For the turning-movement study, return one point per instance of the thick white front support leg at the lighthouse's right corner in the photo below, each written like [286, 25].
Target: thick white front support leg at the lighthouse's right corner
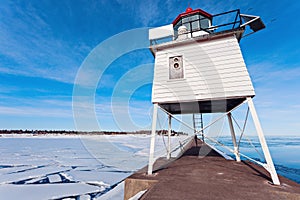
[263, 143]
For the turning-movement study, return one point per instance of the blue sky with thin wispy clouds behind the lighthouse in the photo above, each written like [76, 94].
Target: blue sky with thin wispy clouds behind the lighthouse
[43, 44]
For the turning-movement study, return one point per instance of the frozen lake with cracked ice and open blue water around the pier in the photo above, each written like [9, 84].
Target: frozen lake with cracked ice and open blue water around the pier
[70, 167]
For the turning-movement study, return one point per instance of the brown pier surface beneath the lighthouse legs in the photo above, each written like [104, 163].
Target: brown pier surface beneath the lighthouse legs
[202, 173]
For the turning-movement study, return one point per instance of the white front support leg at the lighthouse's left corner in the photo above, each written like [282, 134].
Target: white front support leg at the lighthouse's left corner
[152, 144]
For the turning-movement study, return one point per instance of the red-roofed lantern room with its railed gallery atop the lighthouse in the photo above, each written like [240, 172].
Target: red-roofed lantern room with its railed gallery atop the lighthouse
[195, 23]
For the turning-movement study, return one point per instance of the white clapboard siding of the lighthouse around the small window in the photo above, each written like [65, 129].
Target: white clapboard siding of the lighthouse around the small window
[213, 69]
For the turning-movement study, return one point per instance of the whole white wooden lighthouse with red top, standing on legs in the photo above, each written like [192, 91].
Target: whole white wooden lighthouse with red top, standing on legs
[199, 68]
